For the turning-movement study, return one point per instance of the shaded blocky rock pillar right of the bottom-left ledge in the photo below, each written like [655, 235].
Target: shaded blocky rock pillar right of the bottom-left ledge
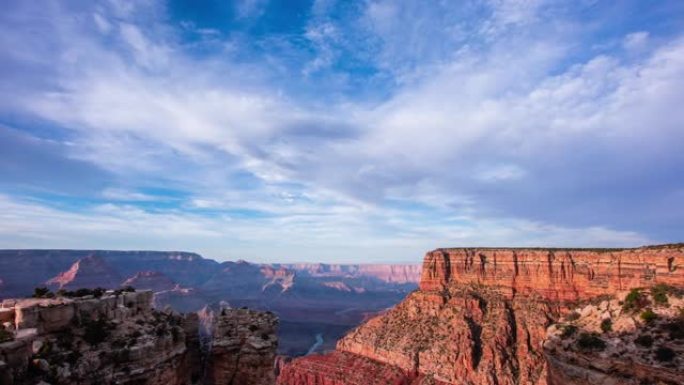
[242, 349]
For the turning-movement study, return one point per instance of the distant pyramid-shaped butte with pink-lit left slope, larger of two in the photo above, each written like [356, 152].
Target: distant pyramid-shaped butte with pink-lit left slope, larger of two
[89, 272]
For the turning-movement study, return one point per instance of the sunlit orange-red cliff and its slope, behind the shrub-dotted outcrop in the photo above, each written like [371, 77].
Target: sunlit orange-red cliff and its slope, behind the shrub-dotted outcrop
[481, 315]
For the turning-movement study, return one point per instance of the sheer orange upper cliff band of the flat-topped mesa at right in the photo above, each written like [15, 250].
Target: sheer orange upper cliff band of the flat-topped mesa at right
[555, 274]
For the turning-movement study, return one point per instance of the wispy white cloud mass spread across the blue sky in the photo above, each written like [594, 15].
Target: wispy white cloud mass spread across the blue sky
[482, 134]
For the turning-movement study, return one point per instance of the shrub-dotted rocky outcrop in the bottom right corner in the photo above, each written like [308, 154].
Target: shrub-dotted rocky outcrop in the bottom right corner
[611, 343]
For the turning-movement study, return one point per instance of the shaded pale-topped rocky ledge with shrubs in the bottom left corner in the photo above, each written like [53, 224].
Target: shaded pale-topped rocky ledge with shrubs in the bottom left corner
[118, 338]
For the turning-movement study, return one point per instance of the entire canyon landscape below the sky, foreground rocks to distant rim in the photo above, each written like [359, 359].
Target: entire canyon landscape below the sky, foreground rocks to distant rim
[485, 316]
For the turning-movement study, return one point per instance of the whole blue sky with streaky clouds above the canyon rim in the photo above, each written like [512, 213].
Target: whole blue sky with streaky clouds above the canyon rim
[340, 131]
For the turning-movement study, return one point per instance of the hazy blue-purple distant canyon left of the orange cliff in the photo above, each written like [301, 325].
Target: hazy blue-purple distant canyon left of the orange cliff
[313, 301]
